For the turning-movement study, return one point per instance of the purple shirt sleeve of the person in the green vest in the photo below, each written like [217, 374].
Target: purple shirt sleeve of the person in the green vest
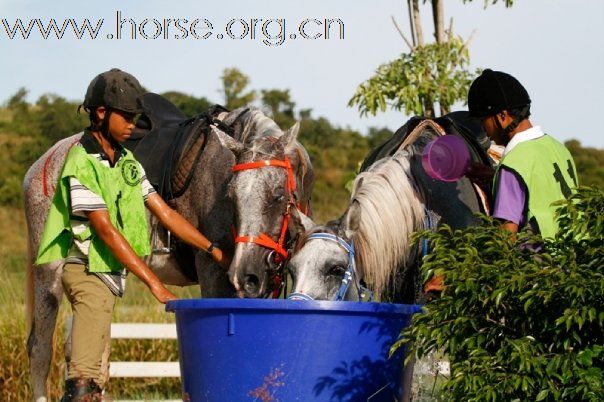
[509, 198]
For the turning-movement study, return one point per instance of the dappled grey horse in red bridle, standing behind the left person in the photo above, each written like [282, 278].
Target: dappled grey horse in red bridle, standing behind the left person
[207, 204]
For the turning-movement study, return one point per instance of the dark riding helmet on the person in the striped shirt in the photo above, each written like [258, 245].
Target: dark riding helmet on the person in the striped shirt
[115, 89]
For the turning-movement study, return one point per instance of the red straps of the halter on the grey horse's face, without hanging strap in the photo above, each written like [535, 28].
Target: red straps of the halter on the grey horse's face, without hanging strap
[263, 239]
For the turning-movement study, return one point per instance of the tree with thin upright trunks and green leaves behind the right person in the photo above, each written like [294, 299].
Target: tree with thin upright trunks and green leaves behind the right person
[429, 75]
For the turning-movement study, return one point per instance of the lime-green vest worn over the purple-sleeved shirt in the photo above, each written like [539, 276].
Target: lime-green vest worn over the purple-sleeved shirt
[548, 171]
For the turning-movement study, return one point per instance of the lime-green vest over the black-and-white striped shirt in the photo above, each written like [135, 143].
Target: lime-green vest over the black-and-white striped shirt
[120, 188]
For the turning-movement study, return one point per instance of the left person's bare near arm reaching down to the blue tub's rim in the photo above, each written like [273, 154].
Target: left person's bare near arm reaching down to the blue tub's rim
[122, 251]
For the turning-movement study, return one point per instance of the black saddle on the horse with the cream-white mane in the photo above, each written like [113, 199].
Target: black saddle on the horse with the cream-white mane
[457, 123]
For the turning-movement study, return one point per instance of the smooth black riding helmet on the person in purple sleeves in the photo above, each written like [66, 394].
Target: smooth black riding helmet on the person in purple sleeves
[494, 91]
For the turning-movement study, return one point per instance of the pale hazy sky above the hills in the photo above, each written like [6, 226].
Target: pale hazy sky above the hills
[554, 47]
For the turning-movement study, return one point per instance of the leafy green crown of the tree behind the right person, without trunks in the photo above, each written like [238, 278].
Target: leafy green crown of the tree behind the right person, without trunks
[434, 73]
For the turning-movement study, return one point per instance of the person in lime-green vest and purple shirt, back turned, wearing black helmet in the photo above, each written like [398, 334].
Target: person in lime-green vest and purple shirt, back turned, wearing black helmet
[535, 171]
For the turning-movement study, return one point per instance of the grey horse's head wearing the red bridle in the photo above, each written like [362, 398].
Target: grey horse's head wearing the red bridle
[272, 178]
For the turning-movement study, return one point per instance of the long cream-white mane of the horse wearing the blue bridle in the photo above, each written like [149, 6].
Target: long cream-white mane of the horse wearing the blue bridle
[391, 211]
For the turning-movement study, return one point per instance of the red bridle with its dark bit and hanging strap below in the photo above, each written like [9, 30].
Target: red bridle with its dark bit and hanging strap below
[278, 253]
